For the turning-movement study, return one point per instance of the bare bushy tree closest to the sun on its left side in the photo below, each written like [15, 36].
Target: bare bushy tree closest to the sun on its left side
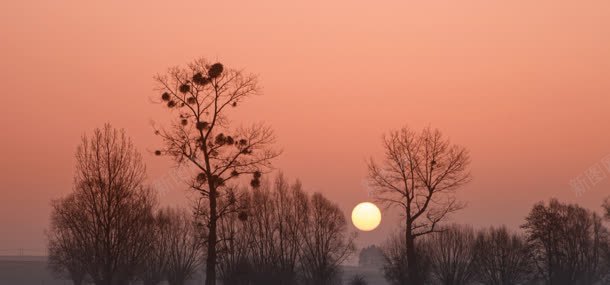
[325, 245]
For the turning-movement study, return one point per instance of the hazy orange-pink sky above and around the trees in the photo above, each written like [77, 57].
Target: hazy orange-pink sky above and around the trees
[525, 86]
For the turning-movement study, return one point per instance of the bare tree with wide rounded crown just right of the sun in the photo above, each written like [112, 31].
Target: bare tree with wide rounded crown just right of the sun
[419, 174]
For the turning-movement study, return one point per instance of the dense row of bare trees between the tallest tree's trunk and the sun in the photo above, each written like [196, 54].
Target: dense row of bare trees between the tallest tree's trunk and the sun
[278, 234]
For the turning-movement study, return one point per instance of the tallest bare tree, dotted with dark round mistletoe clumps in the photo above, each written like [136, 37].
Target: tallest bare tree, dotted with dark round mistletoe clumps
[202, 95]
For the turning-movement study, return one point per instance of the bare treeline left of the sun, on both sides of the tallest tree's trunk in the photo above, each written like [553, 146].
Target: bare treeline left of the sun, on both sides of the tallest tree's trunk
[110, 229]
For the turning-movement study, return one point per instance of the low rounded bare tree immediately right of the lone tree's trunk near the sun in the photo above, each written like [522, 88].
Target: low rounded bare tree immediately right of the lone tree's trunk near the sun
[452, 255]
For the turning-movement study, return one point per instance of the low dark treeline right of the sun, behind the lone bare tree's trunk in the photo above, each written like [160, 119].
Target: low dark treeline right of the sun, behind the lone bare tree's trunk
[561, 244]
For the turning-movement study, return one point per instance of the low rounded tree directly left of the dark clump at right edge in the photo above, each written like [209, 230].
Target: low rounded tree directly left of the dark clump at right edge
[503, 258]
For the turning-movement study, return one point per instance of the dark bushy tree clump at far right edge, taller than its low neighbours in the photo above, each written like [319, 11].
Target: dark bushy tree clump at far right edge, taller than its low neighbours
[567, 242]
